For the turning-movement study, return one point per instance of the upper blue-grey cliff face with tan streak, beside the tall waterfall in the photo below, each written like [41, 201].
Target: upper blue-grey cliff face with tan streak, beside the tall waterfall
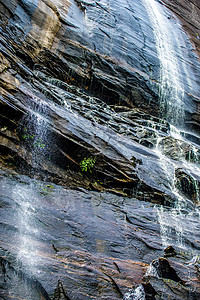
[107, 46]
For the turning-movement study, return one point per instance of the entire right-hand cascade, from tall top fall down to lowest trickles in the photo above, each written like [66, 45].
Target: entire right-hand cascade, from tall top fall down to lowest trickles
[174, 84]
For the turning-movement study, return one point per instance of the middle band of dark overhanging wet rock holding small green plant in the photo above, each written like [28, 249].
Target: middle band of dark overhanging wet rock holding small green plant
[118, 147]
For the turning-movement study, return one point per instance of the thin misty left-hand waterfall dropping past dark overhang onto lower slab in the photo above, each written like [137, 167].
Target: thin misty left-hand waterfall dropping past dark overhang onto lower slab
[35, 138]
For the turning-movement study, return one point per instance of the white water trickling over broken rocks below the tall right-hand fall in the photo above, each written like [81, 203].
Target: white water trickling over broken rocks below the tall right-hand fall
[174, 221]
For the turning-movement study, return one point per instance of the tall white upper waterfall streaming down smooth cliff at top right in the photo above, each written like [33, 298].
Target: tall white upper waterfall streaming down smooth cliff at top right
[169, 42]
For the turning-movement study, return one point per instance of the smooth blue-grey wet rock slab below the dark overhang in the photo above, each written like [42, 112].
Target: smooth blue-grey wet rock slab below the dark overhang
[87, 260]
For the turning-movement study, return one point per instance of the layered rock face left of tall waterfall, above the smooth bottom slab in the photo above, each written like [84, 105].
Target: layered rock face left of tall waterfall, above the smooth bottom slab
[40, 75]
